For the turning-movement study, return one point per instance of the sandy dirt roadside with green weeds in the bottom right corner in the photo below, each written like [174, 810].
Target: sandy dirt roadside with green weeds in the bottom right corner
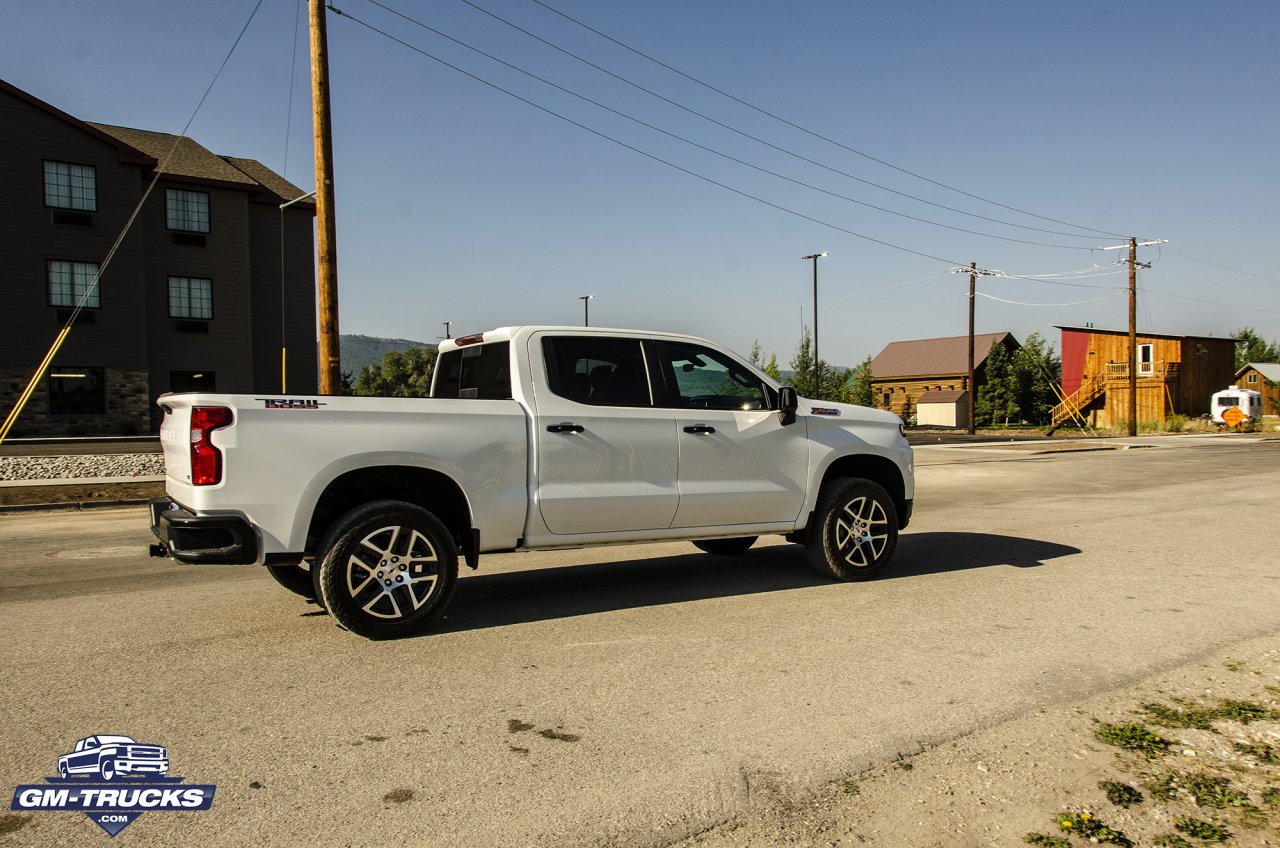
[1036, 779]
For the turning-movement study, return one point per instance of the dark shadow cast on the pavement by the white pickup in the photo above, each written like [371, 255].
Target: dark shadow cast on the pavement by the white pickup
[563, 592]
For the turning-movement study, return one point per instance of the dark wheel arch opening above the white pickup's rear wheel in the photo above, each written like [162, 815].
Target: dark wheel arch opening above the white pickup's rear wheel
[433, 491]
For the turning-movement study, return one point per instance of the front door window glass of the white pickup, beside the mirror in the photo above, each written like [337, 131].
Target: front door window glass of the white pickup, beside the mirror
[702, 379]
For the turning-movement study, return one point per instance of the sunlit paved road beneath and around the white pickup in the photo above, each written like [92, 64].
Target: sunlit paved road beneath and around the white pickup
[628, 696]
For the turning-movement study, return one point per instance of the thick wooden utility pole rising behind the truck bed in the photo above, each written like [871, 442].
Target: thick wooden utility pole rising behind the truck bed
[327, 236]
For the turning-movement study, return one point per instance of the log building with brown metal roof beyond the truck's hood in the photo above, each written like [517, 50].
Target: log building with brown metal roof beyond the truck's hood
[904, 372]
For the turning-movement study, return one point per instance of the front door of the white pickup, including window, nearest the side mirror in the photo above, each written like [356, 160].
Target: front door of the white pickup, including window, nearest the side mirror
[738, 463]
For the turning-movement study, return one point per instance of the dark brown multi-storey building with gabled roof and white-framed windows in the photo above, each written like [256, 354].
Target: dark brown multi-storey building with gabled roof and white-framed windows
[193, 297]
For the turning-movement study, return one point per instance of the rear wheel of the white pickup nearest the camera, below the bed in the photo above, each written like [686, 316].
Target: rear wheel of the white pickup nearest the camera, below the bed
[390, 569]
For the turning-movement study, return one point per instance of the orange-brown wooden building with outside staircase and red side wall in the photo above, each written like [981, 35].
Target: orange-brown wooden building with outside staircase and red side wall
[1177, 376]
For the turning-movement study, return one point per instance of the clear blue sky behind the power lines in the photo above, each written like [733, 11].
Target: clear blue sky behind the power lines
[460, 203]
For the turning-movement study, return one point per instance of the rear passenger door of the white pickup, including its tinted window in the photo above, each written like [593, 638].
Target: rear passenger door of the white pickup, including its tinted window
[607, 458]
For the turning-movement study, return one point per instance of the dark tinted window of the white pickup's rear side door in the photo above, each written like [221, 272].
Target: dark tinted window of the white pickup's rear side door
[601, 372]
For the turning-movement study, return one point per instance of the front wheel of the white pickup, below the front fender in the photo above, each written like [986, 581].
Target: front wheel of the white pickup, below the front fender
[854, 531]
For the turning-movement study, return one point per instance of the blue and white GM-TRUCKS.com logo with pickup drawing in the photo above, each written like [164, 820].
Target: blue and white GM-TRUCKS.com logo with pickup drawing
[113, 781]
